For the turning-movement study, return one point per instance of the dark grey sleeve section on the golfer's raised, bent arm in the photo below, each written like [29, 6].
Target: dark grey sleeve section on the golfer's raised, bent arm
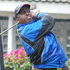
[48, 24]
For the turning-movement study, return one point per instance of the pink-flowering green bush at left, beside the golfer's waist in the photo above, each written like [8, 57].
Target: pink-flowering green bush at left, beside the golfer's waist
[16, 60]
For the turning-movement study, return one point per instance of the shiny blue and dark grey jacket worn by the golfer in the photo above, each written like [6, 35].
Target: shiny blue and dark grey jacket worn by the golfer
[52, 55]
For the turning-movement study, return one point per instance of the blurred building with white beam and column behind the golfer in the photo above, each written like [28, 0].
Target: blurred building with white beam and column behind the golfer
[59, 9]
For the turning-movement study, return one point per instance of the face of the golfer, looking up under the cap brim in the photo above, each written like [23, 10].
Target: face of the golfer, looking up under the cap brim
[24, 16]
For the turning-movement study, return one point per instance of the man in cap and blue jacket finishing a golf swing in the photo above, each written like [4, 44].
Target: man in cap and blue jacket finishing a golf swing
[40, 44]
